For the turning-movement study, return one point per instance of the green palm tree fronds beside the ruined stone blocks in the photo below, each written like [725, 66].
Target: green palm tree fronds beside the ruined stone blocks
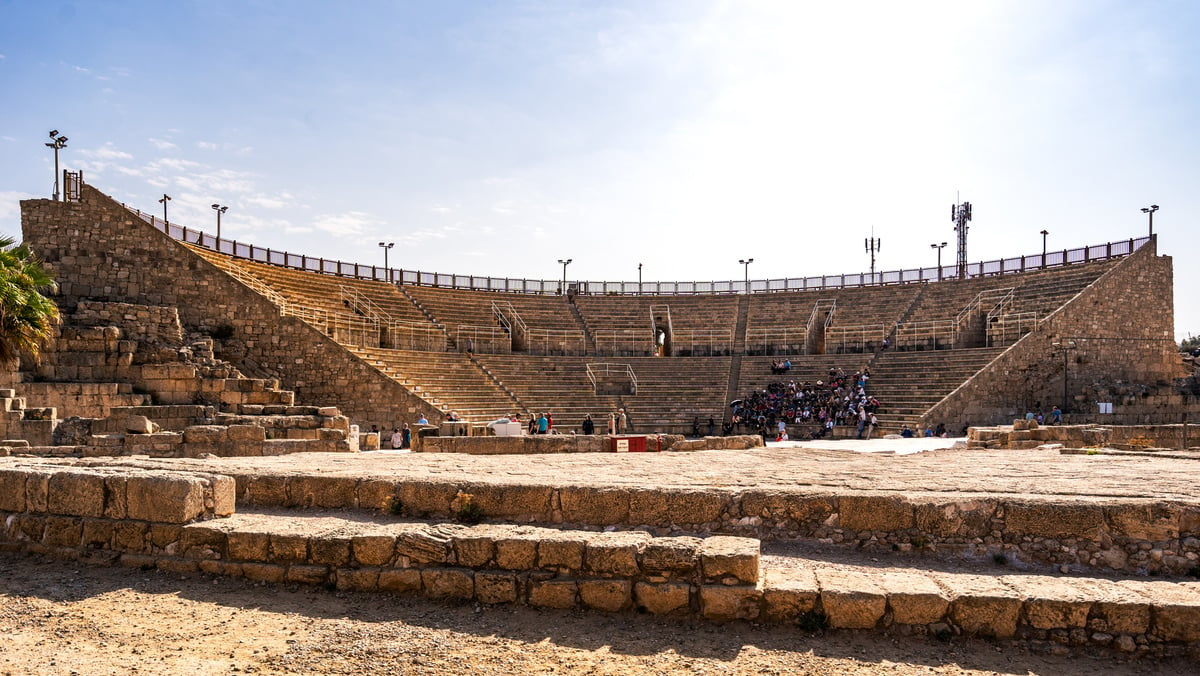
[27, 318]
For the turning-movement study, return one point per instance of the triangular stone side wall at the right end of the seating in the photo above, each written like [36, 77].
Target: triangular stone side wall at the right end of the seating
[1123, 327]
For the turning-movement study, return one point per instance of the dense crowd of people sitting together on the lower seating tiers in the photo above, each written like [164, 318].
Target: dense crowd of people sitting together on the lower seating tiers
[839, 400]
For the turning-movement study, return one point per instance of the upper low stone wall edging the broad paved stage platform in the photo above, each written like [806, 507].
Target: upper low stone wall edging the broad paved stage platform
[1127, 536]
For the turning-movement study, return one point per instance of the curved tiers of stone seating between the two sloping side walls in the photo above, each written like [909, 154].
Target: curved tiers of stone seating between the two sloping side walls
[485, 355]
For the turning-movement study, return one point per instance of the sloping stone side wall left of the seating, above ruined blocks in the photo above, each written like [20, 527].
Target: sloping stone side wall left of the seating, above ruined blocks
[100, 252]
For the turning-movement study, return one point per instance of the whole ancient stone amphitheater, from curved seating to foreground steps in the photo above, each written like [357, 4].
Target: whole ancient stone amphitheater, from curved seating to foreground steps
[195, 414]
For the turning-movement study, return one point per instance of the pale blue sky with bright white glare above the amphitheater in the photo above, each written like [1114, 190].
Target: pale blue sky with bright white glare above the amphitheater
[495, 139]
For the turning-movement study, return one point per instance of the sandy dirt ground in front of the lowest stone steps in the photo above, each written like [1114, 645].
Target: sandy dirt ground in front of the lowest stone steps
[63, 618]
